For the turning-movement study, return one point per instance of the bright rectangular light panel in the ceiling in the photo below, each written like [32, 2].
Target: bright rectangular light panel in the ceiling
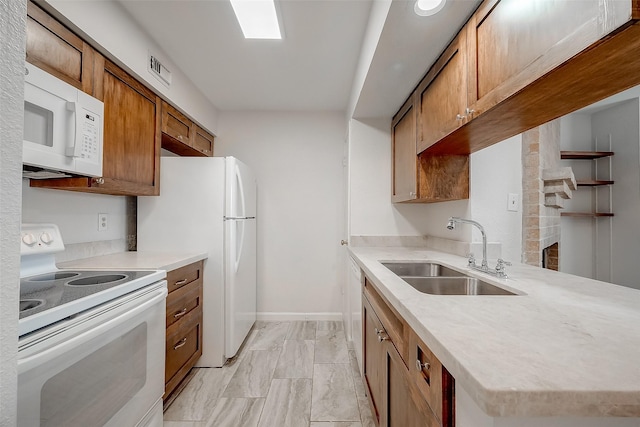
[257, 18]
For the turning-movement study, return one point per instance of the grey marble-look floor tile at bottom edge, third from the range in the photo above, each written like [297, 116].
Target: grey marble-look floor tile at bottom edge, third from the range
[288, 403]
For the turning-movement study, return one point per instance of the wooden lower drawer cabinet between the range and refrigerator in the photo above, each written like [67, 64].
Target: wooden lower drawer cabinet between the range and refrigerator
[184, 324]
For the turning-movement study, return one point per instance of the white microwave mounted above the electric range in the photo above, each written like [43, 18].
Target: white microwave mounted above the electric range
[63, 128]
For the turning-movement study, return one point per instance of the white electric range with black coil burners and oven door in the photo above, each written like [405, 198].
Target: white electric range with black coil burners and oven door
[91, 343]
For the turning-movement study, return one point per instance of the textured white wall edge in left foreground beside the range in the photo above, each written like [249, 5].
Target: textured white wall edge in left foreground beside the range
[12, 42]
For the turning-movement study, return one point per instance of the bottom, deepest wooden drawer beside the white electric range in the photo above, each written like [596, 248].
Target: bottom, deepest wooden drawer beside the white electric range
[183, 348]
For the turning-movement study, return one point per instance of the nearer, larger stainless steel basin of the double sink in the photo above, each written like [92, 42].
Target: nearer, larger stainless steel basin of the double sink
[454, 286]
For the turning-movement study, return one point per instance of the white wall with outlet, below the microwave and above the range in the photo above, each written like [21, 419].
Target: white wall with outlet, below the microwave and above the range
[76, 214]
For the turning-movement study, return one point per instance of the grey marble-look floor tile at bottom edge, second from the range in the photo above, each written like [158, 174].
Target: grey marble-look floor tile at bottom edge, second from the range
[236, 412]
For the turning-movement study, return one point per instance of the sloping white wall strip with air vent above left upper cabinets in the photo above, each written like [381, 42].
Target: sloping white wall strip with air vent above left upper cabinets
[108, 24]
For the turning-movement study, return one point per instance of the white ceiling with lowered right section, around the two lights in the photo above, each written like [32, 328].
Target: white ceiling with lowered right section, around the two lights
[313, 67]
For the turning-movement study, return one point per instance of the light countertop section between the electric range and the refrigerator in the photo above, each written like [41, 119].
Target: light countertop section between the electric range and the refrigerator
[136, 261]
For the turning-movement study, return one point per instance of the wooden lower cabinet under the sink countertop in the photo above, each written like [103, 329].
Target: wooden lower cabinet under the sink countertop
[399, 393]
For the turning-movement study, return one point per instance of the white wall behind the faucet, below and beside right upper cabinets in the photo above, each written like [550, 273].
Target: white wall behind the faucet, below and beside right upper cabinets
[373, 214]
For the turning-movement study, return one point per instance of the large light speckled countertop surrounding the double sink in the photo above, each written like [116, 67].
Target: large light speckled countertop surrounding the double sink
[569, 347]
